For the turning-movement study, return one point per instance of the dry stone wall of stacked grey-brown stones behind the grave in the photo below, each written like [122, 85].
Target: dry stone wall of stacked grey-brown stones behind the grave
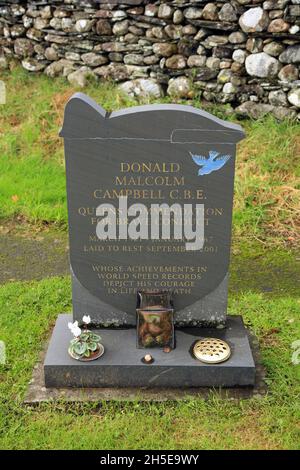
[243, 52]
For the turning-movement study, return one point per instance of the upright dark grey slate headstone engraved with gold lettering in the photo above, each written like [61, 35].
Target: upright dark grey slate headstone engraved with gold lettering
[96, 143]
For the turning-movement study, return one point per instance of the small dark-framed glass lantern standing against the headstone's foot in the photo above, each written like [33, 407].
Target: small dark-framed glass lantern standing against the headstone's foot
[155, 319]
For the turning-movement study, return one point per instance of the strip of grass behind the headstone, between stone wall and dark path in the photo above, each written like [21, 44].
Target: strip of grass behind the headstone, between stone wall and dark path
[32, 177]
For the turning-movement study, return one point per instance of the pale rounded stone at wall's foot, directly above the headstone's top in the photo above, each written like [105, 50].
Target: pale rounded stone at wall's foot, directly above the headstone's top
[142, 89]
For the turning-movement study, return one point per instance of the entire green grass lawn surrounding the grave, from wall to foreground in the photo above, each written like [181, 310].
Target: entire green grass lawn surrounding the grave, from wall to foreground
[266, 237]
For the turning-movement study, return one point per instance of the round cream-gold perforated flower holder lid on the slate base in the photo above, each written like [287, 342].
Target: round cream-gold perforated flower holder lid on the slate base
[211, 350]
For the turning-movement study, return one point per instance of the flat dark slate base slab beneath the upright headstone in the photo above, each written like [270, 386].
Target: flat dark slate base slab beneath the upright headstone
[121, 364]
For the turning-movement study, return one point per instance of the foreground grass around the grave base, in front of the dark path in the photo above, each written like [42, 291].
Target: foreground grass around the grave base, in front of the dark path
[269, 422]
